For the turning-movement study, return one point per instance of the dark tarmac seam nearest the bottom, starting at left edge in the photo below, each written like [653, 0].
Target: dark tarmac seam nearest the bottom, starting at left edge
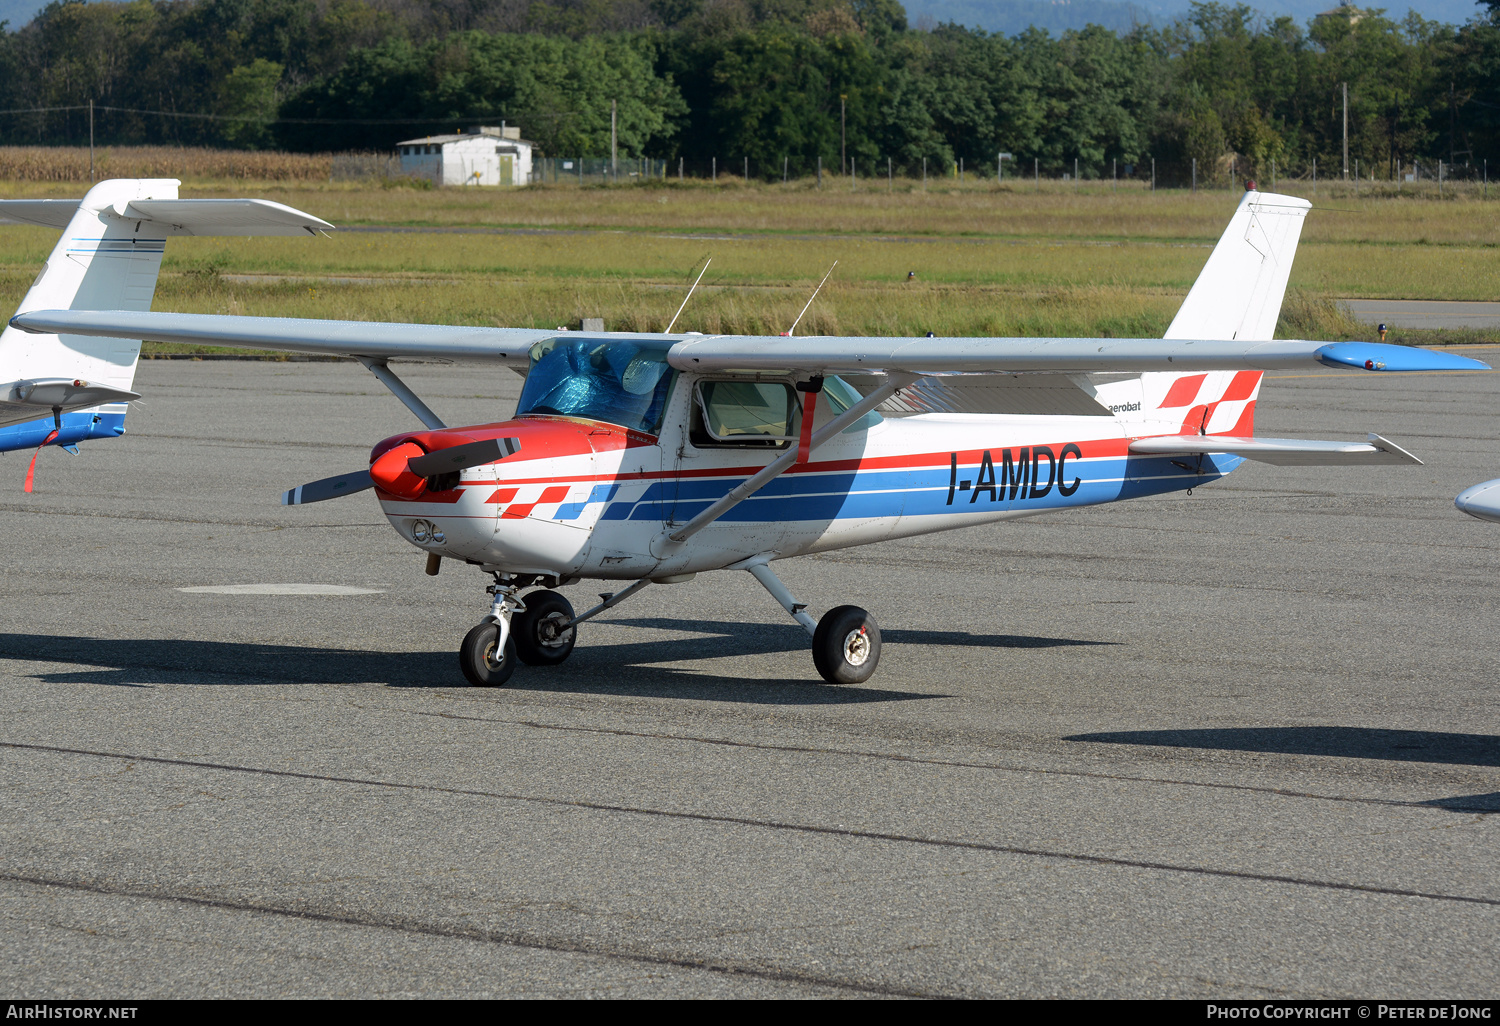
[535, 943]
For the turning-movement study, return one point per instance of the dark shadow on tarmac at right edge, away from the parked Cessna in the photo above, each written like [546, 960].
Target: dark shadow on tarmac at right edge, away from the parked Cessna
[1348, 743]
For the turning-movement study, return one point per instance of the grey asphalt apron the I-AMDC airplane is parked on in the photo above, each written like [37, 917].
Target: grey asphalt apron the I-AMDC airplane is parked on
[1235, 745]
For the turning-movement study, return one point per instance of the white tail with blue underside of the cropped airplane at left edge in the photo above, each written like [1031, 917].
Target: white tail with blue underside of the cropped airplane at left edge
[65, 391]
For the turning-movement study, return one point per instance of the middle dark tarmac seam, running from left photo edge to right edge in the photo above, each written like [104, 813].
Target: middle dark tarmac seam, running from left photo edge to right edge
[772, 824]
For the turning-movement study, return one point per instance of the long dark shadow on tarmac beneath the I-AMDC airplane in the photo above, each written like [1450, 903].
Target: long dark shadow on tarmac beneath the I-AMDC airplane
[631, 668]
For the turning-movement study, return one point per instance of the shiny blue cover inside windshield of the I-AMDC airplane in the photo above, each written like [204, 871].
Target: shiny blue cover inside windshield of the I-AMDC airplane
[620, 383]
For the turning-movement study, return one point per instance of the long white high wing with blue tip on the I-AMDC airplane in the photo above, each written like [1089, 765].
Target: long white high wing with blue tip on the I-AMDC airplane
[811, 356]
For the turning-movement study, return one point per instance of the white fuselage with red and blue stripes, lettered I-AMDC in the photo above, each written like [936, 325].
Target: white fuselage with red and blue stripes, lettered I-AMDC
[590, 499]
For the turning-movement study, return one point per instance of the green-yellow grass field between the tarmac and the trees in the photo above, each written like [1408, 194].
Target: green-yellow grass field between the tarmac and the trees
[1012, 260]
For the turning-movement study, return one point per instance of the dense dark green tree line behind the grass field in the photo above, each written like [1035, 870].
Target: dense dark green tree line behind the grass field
[785, 83]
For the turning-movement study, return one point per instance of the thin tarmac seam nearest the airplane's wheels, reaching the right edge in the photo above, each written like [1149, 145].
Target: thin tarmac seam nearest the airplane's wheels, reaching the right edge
[1000, 767]
